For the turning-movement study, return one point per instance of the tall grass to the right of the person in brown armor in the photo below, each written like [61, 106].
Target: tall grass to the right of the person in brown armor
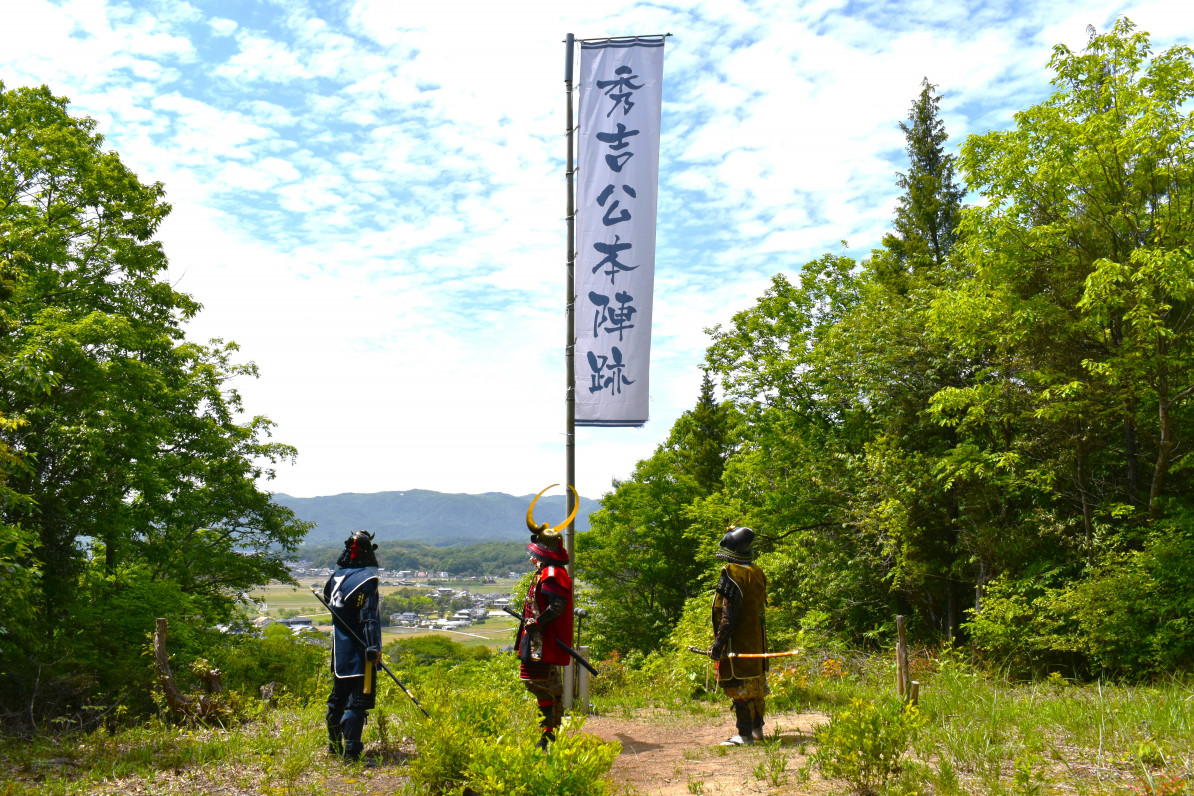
[986, 735]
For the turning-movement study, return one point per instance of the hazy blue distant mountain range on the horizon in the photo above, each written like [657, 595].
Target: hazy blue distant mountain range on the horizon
[430, 517]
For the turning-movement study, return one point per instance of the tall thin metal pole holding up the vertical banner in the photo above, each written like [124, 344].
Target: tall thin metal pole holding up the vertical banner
[570, 347]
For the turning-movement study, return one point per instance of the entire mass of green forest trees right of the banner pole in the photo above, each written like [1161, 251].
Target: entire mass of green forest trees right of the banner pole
[987, 424]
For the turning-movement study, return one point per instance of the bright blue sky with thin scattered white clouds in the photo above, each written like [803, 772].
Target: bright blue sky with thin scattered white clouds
[368, 195]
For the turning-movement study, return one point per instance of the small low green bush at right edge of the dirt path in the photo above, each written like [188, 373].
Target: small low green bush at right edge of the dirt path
[864, 743]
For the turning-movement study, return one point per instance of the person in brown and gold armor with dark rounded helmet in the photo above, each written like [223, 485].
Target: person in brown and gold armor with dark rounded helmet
[738, 628]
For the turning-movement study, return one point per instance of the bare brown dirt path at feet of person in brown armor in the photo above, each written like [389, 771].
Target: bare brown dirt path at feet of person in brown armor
[674, 755]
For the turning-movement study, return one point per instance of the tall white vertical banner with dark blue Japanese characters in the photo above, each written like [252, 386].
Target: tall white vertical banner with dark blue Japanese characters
[618, 183]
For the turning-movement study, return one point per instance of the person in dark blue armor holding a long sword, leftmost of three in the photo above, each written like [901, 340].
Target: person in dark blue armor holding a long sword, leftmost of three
[353, 594]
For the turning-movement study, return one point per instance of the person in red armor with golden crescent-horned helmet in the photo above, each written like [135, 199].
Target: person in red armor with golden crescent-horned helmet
[547, 618]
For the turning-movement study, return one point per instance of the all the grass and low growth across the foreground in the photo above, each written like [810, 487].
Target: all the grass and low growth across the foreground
[980, 735]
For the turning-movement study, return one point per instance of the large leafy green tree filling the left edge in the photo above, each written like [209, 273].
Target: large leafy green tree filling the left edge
[137, 474]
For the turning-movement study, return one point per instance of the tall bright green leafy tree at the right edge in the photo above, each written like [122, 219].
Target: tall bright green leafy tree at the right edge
[1081, 310]
